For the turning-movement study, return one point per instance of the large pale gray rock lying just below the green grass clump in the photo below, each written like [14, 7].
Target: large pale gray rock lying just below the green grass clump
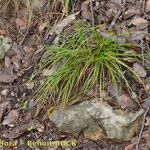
[117, 124]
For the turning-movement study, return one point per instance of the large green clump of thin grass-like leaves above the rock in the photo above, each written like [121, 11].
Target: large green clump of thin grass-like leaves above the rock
[84, 59]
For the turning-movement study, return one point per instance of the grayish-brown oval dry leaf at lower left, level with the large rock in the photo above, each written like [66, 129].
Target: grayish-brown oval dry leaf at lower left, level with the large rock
[11, 117]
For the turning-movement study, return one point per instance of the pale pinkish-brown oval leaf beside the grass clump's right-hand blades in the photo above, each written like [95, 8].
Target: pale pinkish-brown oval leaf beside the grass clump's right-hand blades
[139, 70]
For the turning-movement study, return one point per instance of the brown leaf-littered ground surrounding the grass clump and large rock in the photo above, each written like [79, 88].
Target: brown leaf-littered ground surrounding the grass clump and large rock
[22, 38]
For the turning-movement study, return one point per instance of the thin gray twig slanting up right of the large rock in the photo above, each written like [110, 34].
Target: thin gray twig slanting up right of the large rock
[141, 131]
